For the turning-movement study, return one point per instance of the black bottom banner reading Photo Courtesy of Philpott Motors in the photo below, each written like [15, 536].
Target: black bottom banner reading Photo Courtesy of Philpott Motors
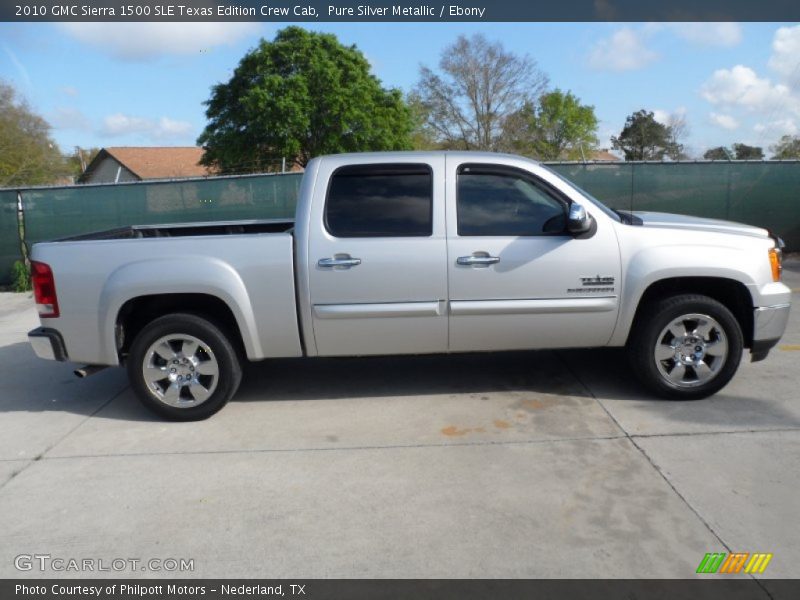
[419, 589]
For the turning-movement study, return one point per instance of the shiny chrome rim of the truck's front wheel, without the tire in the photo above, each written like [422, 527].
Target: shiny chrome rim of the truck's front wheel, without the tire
[691, 350]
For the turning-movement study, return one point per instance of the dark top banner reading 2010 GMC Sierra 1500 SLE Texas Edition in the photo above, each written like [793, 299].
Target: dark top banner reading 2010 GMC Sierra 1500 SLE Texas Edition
[400, 11]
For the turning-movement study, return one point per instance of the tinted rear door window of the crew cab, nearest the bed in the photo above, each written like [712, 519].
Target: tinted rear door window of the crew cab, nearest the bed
[380, 201]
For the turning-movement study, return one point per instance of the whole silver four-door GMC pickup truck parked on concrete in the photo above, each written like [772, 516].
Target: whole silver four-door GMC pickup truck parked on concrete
[411, 253]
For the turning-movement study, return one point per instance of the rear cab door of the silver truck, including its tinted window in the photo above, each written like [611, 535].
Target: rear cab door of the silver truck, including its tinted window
[378, 257]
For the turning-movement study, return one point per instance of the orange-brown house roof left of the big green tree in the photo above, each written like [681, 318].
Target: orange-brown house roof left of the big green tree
[156, 162]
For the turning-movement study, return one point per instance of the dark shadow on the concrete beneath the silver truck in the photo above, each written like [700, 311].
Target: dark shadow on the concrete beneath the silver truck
[33, 385]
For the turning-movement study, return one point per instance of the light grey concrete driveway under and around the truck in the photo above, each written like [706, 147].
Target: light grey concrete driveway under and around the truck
[529, 464]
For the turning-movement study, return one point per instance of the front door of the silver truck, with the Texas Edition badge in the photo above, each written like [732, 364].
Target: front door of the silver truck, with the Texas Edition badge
[517, 279]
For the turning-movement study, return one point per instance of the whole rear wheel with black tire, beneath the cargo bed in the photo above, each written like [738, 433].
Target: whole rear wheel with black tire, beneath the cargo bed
[183, 367]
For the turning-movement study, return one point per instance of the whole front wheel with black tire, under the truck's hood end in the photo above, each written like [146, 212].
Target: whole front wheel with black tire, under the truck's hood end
[685, 347]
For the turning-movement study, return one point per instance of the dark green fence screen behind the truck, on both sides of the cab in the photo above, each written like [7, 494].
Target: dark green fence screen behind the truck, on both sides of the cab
[766, 194]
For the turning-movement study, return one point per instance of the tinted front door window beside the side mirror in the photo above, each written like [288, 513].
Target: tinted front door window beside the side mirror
[499, 202]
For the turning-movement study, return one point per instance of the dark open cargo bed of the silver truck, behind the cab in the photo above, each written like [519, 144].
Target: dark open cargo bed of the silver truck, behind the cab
[186, 230]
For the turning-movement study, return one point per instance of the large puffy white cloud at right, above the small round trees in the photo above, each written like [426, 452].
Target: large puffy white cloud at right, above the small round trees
[742, 87]
